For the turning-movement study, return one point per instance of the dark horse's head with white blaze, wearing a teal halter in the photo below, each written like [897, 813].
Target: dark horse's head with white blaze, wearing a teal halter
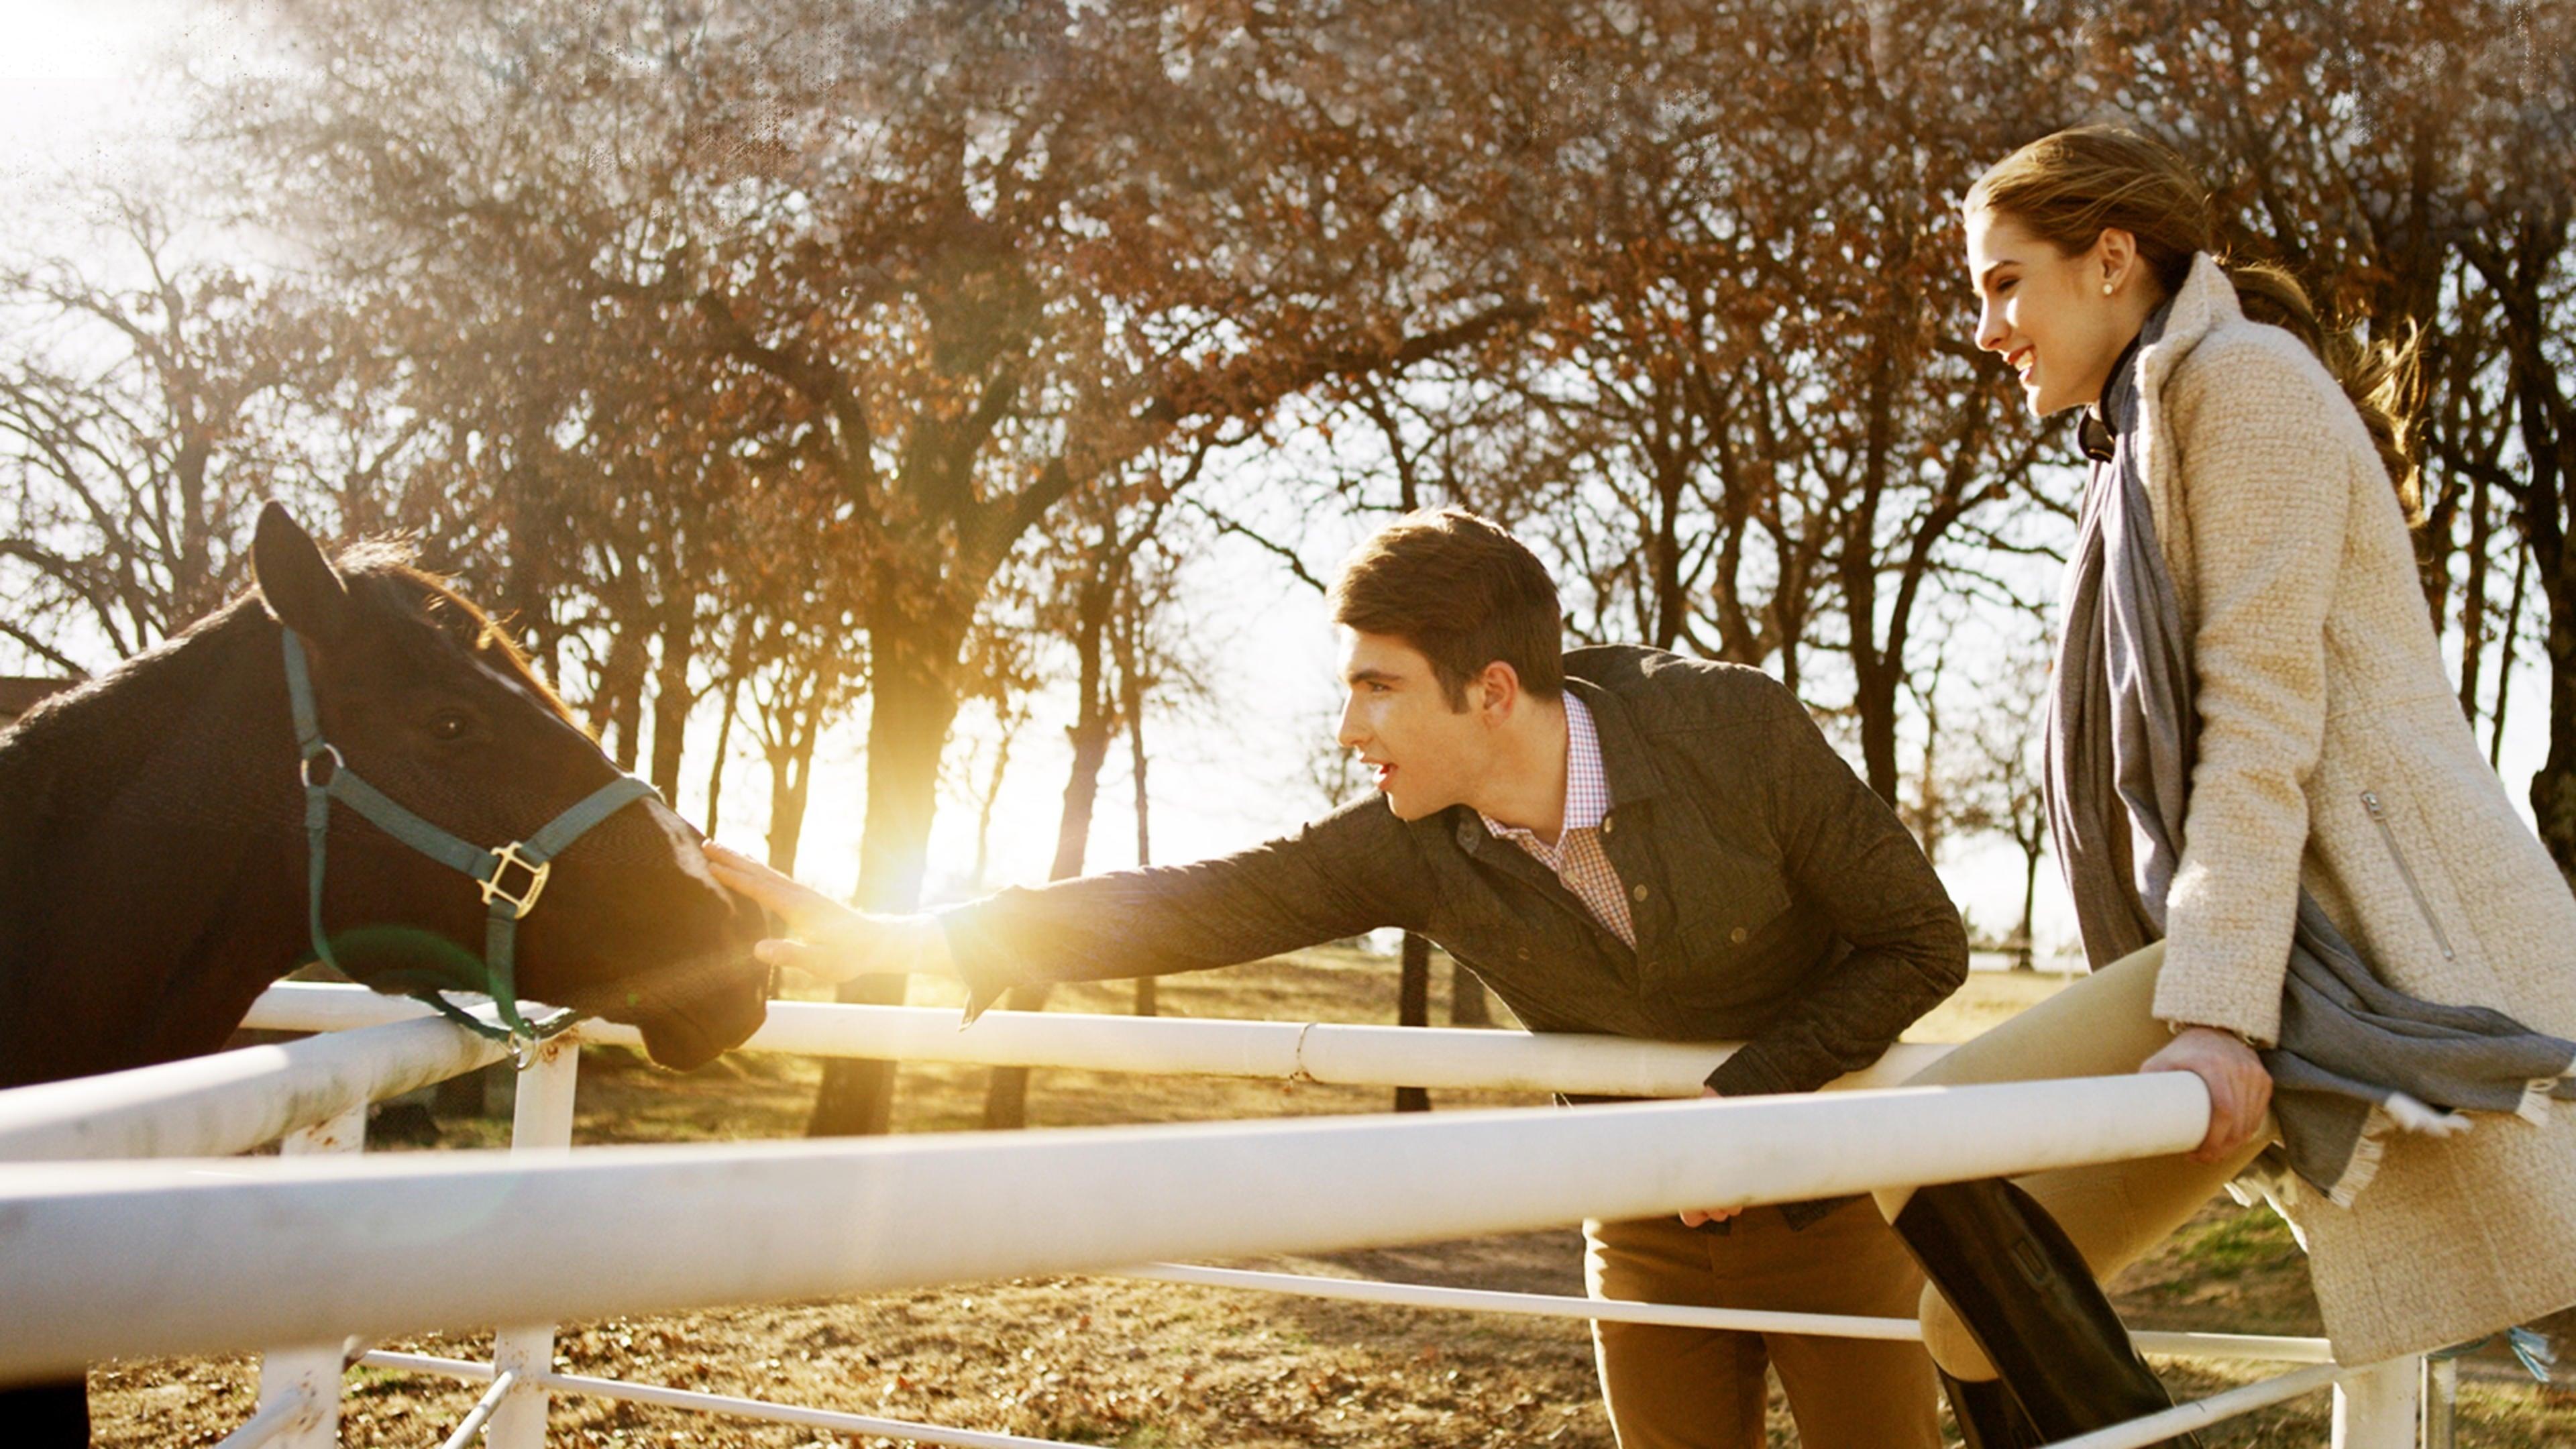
[429, 703]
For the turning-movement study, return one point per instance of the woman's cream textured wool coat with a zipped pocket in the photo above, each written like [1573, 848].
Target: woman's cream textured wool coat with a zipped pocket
[2335, 757]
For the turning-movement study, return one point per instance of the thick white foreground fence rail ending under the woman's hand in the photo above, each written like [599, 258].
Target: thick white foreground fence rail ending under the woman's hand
[115, 1257]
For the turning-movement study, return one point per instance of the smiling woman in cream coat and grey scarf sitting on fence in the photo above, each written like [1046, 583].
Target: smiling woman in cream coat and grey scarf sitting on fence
[2291, 865]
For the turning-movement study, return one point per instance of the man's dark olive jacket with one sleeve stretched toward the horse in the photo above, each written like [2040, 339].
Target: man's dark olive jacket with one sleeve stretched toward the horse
[1776, 899]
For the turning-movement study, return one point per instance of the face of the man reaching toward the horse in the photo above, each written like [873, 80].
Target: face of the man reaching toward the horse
[1426, 754]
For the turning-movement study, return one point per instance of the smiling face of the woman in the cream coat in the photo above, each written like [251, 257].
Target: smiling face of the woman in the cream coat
[2060, 321]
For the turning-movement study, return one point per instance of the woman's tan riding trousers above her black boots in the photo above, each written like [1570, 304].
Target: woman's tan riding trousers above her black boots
[2116, 1213]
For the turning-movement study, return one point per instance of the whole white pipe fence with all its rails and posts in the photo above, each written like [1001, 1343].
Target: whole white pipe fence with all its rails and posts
[115, 1257]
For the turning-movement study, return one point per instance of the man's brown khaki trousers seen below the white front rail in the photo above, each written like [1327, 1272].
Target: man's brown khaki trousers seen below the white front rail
[1701, 1388]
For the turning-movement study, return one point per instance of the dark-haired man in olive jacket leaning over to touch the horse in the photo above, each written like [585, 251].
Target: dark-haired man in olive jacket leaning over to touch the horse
[1614, 839]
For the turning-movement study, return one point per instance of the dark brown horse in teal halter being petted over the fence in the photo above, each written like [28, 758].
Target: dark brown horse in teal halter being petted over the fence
[153, 852]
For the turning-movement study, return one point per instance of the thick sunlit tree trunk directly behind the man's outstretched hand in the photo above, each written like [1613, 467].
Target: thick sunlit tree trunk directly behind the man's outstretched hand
[908, 728]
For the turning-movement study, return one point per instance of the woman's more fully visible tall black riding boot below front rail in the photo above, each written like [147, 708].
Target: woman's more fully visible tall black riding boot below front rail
[2026, 1296]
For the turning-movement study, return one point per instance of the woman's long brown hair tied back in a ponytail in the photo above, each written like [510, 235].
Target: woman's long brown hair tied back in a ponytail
[2075, 184]
